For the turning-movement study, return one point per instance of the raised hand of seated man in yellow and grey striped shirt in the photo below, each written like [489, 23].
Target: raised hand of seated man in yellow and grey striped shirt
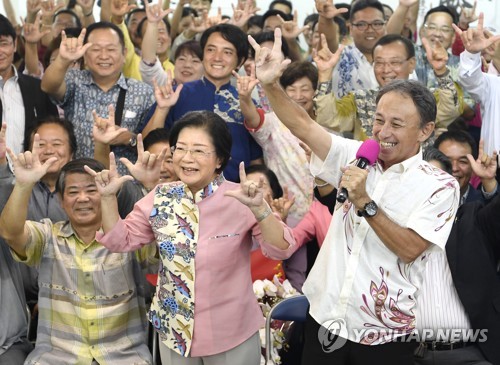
[27, 166]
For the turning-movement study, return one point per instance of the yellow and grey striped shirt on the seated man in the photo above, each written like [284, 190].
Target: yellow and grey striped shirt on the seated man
[91, 301]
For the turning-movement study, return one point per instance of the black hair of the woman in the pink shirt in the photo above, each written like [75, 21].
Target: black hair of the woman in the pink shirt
[216, 128]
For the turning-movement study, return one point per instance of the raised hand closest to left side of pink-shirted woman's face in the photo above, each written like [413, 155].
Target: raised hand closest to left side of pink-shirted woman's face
[147, 168]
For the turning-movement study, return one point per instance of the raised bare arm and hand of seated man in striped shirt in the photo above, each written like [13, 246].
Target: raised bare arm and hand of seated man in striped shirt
[29, 170]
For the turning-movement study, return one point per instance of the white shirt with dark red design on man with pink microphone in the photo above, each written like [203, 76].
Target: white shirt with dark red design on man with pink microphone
[357, 280]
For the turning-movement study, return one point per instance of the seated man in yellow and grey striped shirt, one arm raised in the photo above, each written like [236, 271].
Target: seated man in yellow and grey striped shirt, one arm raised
[91, 301]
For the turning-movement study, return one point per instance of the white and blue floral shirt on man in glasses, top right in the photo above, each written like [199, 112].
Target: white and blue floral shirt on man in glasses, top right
[353, 72]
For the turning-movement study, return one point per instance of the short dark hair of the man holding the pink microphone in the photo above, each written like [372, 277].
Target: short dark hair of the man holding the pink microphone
[422, 97]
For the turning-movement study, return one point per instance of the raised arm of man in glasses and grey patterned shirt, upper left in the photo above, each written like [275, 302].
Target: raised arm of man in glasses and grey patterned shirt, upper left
[71, 49]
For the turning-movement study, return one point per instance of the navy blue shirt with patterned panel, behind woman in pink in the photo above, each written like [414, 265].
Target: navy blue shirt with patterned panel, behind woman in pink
[203, 95]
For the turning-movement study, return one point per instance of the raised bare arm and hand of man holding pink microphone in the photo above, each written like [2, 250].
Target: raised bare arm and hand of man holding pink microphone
[270, 65]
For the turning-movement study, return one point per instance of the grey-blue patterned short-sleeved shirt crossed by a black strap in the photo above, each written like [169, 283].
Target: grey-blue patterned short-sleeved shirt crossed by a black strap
[83, 95]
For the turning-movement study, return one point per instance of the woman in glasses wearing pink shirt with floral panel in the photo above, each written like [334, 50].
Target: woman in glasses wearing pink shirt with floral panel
[204, 308]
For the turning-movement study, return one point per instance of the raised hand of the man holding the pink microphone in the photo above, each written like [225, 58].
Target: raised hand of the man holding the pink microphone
[269, 63]
